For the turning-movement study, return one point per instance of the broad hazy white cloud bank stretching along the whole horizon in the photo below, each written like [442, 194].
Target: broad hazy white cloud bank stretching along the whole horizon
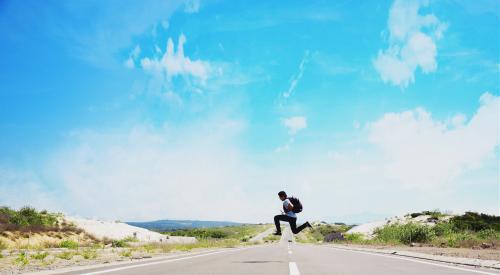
[407, 159]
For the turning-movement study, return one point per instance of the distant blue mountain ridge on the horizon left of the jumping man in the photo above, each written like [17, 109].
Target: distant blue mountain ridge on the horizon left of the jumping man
[170, 225]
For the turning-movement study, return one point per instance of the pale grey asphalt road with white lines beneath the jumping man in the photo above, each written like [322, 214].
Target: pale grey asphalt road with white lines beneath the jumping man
[287, 258]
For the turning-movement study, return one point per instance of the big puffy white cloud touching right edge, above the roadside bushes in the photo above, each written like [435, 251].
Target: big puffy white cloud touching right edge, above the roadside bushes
[423, 152]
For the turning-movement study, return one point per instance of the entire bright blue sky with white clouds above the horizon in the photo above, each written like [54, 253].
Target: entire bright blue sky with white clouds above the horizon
[206, 109]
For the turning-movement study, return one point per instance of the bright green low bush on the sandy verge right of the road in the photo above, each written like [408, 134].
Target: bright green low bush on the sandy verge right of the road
[405, 233]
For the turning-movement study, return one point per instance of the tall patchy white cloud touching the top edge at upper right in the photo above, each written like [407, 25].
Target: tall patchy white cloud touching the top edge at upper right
[412, 43]
